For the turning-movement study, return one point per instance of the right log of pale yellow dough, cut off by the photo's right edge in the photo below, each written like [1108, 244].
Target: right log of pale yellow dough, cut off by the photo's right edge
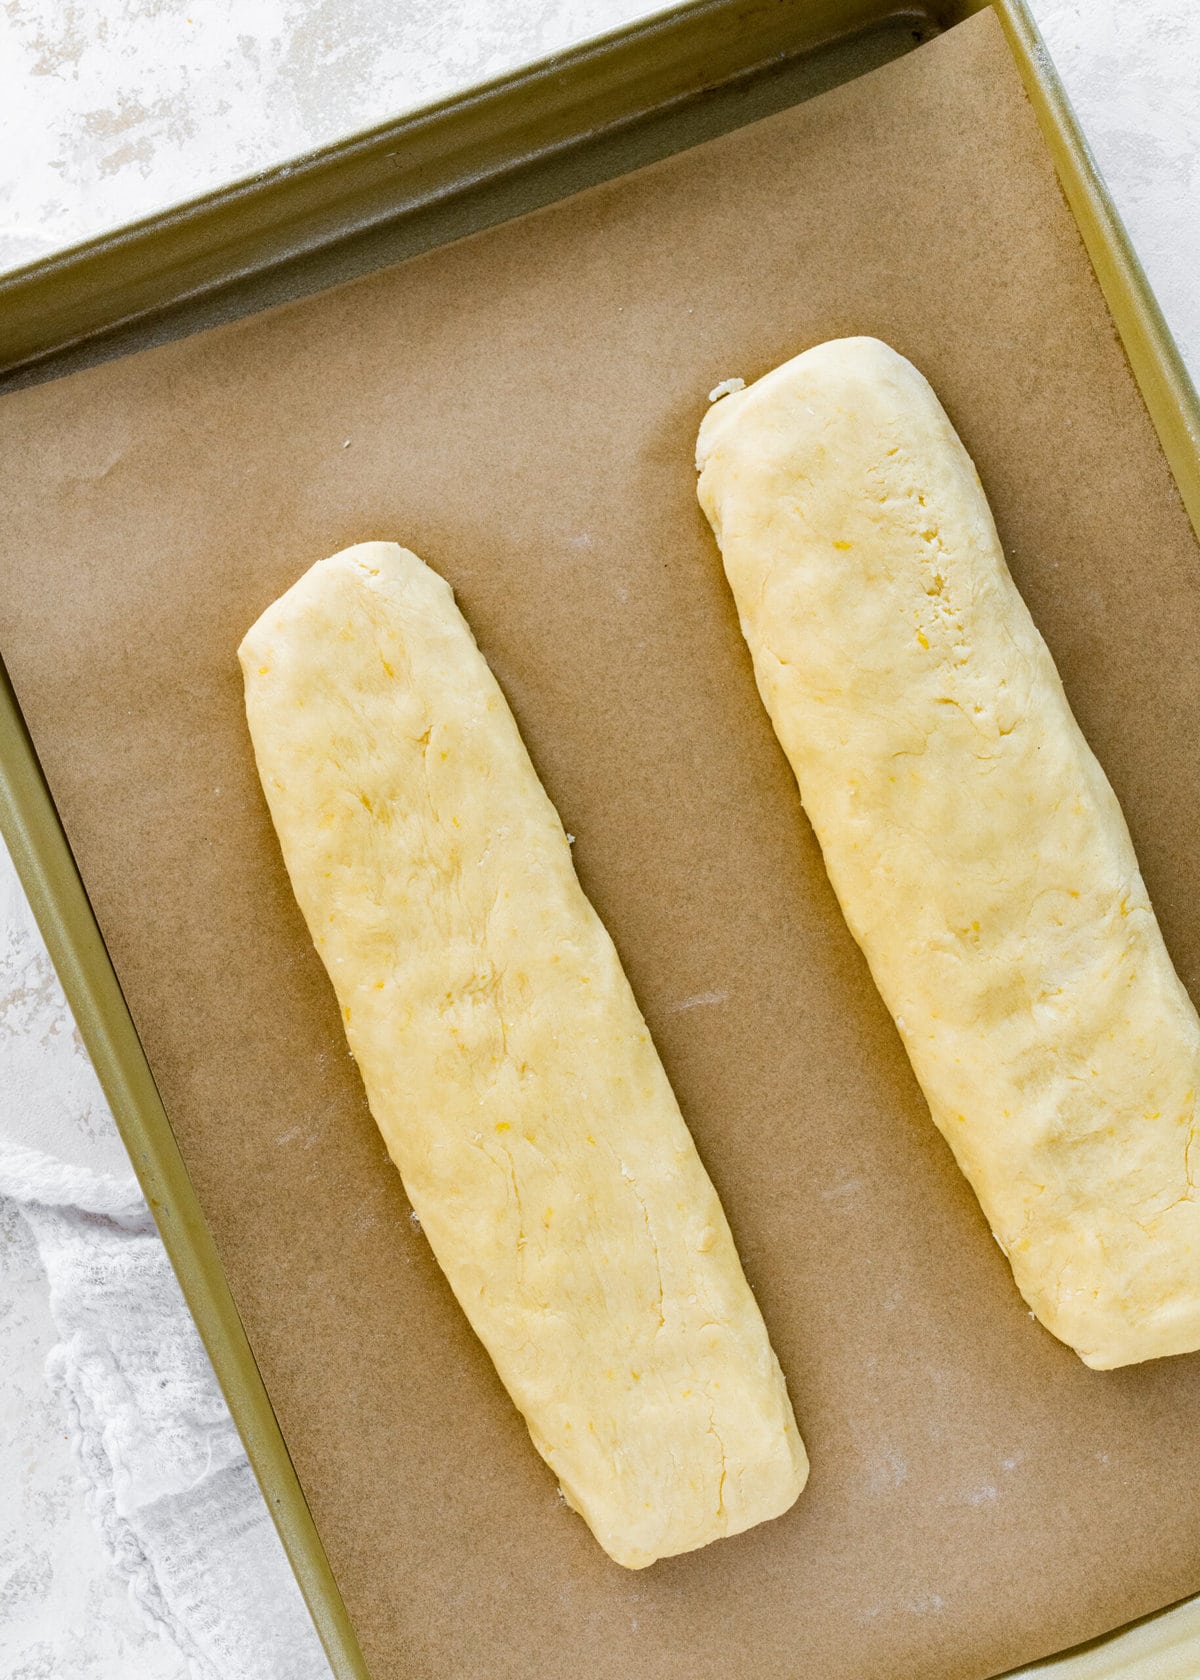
[976, 846]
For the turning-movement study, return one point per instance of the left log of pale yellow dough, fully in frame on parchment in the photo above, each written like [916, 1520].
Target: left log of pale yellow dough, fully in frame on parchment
[508, 1066]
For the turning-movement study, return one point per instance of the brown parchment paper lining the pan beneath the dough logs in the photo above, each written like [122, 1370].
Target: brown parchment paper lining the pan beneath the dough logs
[522, 409]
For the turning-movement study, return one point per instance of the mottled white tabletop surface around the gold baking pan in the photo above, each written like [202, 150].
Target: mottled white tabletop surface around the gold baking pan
[115, 108]
